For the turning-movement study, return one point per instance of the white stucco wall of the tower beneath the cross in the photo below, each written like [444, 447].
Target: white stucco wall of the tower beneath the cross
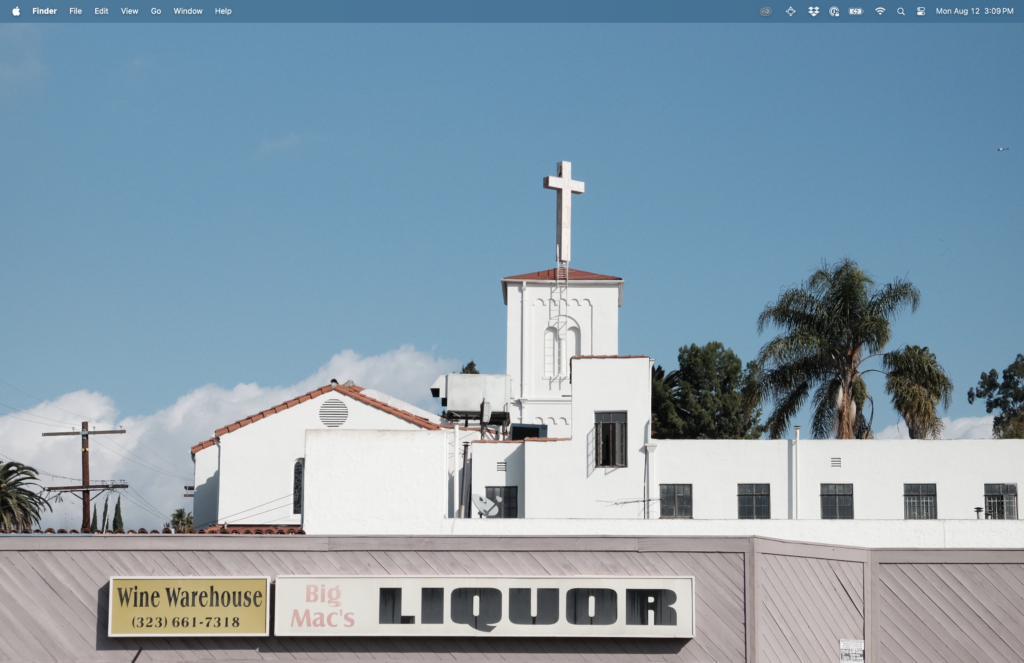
[592, 307]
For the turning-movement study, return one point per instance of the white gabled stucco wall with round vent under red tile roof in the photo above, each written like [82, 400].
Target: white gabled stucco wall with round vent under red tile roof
[258, 461]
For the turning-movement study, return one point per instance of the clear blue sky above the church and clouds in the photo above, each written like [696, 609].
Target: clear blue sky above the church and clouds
[185, 206]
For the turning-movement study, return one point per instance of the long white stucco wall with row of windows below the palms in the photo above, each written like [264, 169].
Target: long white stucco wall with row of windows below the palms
[878, 470]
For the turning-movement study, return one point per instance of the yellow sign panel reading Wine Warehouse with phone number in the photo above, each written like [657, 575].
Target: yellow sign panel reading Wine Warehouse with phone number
[189, 607]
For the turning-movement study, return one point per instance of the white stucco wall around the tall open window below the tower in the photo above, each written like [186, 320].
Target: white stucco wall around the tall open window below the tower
[562, 480]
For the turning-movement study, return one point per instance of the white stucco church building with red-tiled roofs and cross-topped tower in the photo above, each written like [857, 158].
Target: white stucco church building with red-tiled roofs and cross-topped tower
[570, 450]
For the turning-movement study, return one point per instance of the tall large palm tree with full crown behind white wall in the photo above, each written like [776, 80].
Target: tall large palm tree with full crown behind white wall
[832, 324]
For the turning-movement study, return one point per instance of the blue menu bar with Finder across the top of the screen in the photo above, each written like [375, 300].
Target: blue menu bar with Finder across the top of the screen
[518, 12]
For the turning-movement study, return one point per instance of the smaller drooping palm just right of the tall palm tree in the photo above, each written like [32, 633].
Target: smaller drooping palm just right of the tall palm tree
[918, 385]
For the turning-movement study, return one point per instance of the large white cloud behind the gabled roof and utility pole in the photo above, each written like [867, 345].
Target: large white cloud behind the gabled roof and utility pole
[154, 458]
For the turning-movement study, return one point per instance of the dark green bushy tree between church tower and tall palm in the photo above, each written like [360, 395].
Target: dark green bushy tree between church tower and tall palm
[708, 398]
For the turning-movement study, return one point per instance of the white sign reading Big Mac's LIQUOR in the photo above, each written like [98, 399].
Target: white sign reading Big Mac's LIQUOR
[475, 606]
